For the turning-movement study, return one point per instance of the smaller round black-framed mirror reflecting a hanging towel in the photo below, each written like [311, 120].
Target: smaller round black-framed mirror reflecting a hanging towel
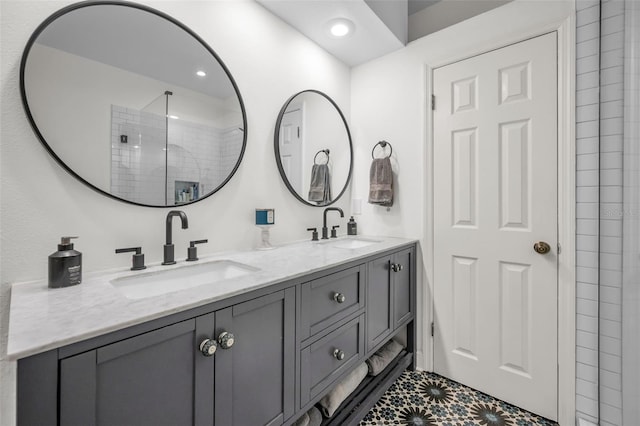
[313, 148]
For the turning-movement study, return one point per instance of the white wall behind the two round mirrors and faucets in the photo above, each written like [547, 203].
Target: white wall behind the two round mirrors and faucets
[40, 202]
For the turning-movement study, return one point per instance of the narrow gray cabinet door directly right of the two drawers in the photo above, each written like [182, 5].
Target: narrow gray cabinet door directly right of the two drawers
[379, 296]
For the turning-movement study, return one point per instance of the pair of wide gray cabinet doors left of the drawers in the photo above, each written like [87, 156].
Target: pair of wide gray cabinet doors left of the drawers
[162, 378]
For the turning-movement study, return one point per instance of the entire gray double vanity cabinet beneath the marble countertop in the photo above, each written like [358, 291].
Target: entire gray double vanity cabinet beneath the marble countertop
[292, 342]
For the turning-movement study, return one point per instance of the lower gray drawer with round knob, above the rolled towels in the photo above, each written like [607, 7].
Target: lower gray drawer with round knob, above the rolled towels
[320, 363]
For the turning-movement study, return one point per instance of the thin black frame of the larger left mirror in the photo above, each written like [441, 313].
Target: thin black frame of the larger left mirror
[160, 14]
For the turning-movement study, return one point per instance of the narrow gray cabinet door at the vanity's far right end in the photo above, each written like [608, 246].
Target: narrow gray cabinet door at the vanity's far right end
[401, 287]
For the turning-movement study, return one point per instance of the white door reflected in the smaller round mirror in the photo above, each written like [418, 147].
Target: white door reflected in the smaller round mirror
[291, 147]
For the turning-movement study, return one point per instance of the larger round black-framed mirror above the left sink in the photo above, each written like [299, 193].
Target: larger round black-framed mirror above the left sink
[133, 103]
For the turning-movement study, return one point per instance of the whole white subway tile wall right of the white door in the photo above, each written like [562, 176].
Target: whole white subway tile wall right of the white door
[599, 139]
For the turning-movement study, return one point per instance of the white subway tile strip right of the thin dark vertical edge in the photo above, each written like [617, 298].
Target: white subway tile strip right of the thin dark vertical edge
[611, 209]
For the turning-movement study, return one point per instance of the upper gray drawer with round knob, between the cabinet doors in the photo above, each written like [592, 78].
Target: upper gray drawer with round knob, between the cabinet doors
[329, 299]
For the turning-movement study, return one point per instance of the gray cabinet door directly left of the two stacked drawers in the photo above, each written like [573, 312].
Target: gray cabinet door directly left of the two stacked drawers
[255, 377]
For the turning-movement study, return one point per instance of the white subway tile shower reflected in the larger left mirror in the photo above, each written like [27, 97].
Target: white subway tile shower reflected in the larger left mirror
[195, 153]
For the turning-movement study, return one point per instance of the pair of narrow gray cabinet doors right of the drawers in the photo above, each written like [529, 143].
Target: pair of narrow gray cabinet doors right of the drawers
[390, 295]
